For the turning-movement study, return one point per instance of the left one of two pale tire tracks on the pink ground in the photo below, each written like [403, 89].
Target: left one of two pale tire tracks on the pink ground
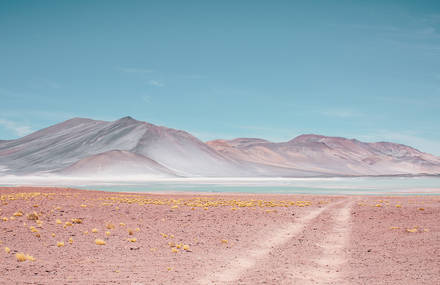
[234, 269]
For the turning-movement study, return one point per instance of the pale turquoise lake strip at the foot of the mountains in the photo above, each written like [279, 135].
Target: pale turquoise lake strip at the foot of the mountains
[333, 186]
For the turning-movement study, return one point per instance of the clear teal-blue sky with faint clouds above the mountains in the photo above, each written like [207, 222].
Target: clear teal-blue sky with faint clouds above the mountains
[223, 69]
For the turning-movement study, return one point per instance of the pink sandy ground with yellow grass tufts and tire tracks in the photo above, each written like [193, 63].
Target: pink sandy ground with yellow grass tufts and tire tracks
[216, 239]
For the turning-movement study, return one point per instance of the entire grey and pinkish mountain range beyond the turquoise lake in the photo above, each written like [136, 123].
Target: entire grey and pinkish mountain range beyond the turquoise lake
[86, 147]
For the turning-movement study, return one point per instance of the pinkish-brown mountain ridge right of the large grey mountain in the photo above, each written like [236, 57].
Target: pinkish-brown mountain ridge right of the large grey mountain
[331, 155]
